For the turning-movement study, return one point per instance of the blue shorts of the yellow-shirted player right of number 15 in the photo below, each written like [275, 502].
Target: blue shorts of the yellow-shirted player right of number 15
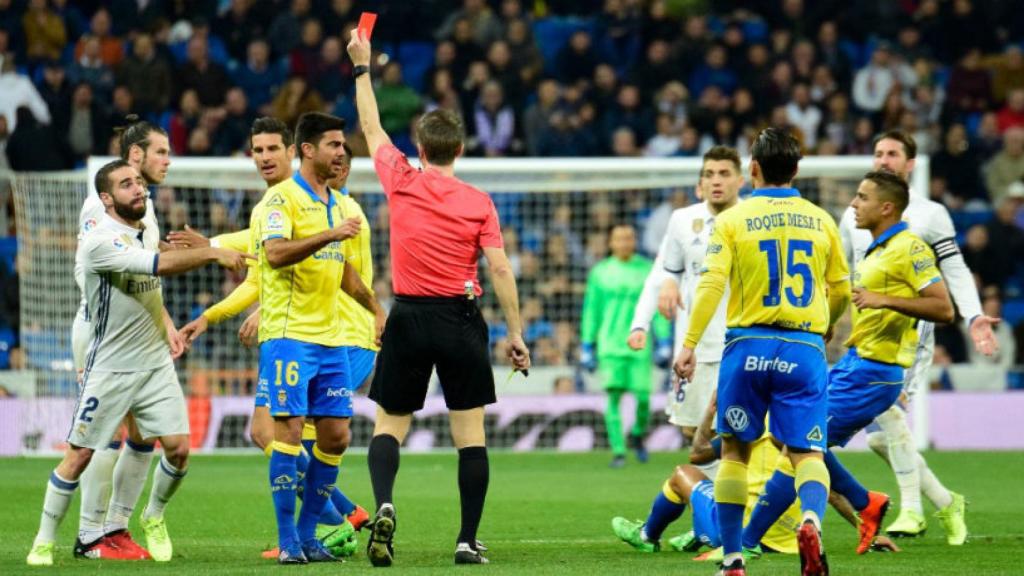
[860, 390]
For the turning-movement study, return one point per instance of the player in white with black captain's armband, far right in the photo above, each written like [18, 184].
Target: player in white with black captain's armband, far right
[890, 437]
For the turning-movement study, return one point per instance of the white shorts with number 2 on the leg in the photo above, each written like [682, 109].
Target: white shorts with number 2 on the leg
[153, 397]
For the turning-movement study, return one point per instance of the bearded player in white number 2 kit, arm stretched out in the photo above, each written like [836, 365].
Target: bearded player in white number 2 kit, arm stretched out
[129, 366]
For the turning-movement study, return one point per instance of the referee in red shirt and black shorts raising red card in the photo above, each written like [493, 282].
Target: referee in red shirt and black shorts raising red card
[440, 225]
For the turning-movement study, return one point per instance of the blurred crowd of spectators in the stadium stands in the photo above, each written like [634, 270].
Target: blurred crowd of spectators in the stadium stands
[625, 78]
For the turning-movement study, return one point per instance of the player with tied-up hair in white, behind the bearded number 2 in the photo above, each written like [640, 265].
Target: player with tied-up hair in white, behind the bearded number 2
[115, 480]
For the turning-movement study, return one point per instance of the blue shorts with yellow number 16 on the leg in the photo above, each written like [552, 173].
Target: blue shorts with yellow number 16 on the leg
[306, 380]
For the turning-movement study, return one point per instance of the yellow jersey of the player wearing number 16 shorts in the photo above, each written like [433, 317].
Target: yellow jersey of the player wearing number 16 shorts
[300, 302]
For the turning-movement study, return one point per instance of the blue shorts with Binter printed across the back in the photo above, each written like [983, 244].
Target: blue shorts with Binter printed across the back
[785, 373]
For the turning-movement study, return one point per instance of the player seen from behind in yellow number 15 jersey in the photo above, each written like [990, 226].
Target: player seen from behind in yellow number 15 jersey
[788, 278]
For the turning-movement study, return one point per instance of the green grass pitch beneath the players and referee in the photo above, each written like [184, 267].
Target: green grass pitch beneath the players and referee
[546, 514]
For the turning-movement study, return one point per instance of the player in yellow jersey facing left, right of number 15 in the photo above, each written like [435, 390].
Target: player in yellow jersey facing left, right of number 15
[895, 285]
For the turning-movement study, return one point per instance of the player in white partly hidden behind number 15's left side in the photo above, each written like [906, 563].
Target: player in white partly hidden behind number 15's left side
[674, 278]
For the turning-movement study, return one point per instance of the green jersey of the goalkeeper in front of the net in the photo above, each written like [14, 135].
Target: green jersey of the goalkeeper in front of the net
[614, 287]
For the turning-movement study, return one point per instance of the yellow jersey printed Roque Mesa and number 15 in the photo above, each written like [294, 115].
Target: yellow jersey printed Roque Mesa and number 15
[780, 254]
